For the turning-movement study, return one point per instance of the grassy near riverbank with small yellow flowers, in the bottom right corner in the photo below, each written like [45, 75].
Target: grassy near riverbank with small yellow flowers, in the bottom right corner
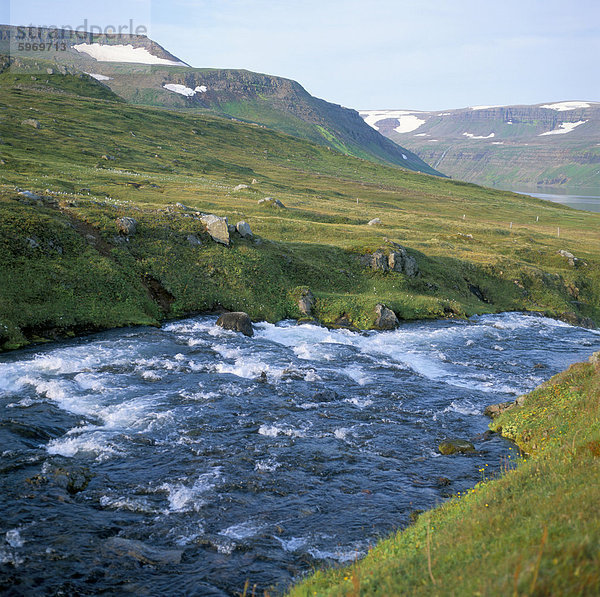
[534, 531]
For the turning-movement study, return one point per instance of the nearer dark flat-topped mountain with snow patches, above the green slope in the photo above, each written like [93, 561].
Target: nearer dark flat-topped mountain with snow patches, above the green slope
[143, 72]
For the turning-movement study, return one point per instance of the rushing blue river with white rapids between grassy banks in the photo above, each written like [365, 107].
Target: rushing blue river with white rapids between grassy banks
[213, 458]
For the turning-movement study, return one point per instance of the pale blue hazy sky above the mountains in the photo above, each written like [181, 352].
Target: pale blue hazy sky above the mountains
[417, 54]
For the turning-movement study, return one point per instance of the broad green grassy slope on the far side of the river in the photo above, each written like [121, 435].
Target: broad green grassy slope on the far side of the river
[90, 159]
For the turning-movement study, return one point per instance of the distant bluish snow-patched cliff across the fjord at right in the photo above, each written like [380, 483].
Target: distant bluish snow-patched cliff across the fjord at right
[552, 145]
